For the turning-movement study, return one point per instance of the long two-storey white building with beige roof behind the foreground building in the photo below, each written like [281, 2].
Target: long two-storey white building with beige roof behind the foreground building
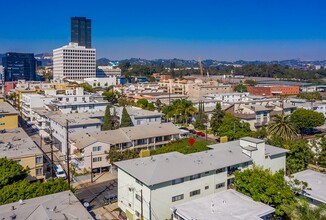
[142, 137]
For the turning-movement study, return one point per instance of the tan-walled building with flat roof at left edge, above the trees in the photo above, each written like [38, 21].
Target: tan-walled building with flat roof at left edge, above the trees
[16, 145]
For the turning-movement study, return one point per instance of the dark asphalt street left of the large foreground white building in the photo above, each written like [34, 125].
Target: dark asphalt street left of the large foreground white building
[94, 194]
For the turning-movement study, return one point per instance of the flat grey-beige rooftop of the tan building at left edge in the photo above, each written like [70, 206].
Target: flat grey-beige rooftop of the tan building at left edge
[15, 143]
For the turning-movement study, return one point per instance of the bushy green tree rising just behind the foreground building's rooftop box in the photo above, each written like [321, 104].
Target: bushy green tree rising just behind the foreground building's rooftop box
[233, 128]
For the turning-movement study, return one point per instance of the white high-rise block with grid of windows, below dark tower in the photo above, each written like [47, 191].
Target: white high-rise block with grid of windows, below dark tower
[74, 62]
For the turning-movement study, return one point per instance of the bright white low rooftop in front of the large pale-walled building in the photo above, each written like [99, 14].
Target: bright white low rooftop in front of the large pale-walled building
[228, 204]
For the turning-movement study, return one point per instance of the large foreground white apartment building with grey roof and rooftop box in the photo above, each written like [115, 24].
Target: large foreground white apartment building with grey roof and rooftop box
[167, 180]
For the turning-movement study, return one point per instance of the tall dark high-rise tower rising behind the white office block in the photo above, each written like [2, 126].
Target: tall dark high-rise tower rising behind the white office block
[81, 31]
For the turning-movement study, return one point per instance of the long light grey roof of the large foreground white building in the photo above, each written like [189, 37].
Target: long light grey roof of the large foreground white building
[157, 169]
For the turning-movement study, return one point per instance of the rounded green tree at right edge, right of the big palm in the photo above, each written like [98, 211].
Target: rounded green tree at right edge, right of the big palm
[304, 119]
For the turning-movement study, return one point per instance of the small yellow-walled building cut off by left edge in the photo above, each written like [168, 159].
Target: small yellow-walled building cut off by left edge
[8, 116]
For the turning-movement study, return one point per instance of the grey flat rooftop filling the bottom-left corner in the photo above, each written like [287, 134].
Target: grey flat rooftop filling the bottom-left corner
[62, 205]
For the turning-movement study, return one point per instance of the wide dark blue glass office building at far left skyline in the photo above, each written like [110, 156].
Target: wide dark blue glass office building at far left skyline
[19, 66]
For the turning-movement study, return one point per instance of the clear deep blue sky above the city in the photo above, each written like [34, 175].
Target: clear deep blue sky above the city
[221, 29]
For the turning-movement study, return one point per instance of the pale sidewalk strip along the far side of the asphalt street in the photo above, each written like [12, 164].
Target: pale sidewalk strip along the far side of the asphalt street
[85, 180]
